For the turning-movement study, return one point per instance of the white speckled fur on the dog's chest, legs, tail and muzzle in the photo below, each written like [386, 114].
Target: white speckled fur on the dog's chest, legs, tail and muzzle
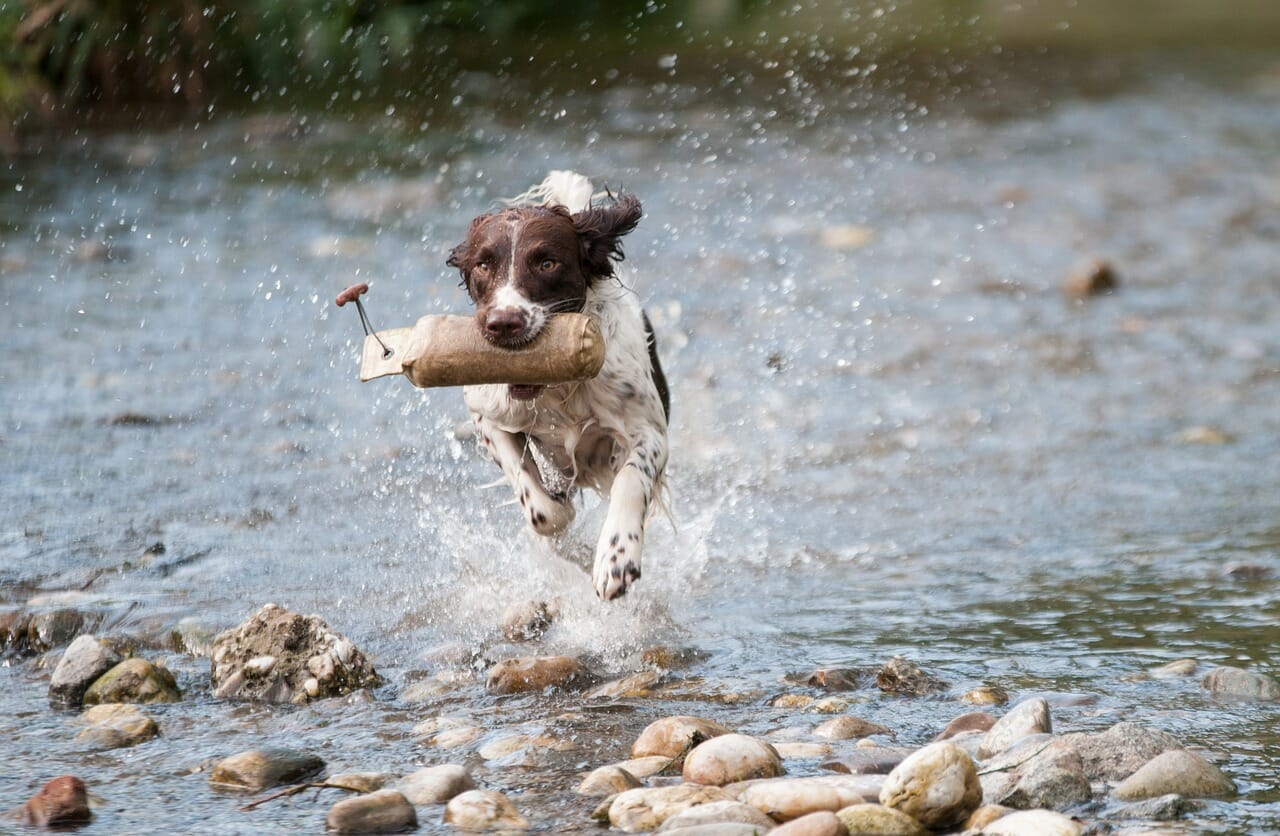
[609, 433]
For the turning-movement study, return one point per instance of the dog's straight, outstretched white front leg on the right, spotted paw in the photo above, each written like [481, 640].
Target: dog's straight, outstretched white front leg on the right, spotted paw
[618, 555]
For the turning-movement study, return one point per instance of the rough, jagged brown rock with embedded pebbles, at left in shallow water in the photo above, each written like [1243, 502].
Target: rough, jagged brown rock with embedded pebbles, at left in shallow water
[277, 656]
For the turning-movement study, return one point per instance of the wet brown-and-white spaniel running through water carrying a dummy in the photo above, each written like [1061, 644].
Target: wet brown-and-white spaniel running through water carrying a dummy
[556, 249]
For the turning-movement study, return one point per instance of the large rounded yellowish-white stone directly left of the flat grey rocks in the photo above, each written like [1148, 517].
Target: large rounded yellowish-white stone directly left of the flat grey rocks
[936, 787]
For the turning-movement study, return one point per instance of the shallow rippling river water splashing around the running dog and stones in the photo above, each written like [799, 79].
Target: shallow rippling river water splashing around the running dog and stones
[911, 447]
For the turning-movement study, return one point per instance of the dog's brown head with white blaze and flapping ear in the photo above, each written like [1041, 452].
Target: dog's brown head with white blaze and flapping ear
[522, 266]
